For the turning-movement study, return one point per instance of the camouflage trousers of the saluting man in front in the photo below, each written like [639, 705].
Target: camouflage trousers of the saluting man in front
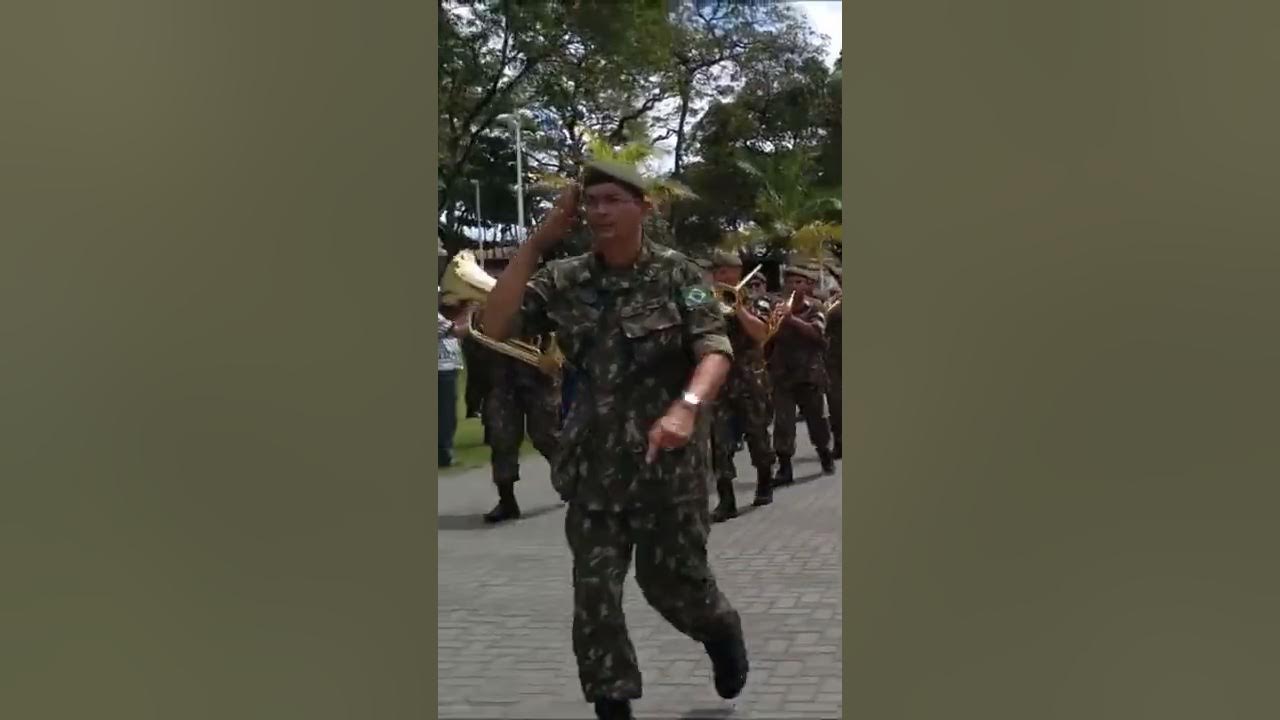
[670, 546]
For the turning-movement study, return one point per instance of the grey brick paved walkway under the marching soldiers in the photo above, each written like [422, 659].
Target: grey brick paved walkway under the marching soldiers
[506, 604]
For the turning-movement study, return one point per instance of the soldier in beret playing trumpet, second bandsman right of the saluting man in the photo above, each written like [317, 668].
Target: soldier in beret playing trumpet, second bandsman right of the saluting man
[798, 371]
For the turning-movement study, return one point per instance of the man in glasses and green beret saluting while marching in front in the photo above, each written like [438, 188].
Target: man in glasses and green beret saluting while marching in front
[644, 332]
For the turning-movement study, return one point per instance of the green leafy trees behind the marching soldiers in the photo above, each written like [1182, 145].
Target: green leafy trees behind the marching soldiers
[738, 90]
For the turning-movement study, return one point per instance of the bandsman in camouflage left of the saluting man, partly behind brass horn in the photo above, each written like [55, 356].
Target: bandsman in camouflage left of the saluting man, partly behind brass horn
[520, 398]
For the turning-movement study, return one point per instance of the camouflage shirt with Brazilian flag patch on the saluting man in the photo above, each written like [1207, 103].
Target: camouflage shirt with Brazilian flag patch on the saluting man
[633, 339]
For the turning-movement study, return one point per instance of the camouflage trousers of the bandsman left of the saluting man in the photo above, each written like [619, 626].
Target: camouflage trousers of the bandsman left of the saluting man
[511, 409]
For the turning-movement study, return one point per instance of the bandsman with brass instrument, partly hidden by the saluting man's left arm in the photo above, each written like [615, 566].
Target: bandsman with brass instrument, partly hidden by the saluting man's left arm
[743, 399]
